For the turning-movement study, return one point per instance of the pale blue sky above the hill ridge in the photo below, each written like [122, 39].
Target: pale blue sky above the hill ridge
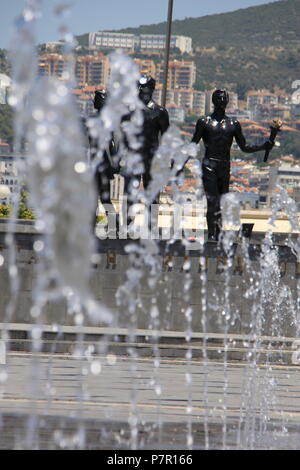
[94, 15]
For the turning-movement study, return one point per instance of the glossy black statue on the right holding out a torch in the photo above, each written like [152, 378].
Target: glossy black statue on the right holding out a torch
[217, 132]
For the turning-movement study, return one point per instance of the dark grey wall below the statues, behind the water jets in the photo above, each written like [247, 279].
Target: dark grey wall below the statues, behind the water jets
[211, 296]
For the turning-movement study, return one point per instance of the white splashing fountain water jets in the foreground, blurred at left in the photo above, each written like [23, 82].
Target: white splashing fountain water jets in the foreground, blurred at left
[59, 178]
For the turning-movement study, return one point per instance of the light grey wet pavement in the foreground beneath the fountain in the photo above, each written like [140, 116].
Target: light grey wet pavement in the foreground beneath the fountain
[111, 401]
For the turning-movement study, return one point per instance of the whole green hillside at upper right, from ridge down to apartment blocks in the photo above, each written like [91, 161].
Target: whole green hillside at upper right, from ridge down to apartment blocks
[256, 47]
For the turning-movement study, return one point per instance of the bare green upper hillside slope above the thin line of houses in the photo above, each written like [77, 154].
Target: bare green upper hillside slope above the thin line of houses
[266, 25]
